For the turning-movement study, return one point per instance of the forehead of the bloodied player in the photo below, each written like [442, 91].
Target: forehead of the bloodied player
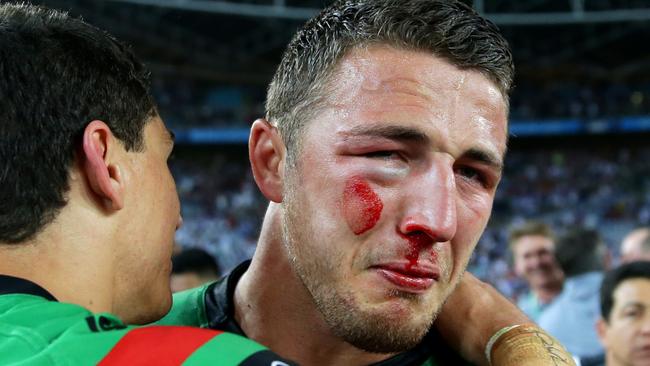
[462, 107]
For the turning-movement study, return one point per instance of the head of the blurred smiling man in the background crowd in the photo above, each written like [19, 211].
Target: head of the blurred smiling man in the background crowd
[533, 251]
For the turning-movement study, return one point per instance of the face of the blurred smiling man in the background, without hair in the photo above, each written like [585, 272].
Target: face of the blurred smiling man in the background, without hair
[535, 261]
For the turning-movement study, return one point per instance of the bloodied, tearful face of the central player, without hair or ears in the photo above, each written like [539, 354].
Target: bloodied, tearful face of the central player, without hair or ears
[392, 188]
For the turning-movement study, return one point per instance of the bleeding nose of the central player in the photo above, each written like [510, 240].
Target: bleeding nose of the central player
[430, 204]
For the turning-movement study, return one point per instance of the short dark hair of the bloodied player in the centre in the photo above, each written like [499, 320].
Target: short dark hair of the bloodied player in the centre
[446, 28]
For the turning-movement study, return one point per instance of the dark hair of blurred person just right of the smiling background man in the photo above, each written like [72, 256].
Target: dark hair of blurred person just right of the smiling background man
[580, 250]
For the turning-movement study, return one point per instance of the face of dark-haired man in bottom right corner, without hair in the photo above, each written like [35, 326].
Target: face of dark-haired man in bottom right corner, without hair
[626, 335]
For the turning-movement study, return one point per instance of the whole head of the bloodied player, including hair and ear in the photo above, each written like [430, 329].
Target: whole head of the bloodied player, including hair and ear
[400, 114]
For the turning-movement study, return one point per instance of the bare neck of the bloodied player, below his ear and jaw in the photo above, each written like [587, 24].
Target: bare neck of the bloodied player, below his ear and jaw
[274, 308]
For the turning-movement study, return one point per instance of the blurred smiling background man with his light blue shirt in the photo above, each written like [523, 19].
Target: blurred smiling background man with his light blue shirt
[533, 250]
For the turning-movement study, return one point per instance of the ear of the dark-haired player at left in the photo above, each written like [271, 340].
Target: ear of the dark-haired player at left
[103, 175]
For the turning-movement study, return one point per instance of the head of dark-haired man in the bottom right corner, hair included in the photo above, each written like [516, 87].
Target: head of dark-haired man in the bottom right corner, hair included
[624, 328]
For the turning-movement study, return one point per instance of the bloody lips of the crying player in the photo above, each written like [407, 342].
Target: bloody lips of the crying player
[409, 278]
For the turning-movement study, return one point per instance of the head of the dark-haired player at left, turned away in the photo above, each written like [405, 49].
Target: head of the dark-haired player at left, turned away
[84, 159]
